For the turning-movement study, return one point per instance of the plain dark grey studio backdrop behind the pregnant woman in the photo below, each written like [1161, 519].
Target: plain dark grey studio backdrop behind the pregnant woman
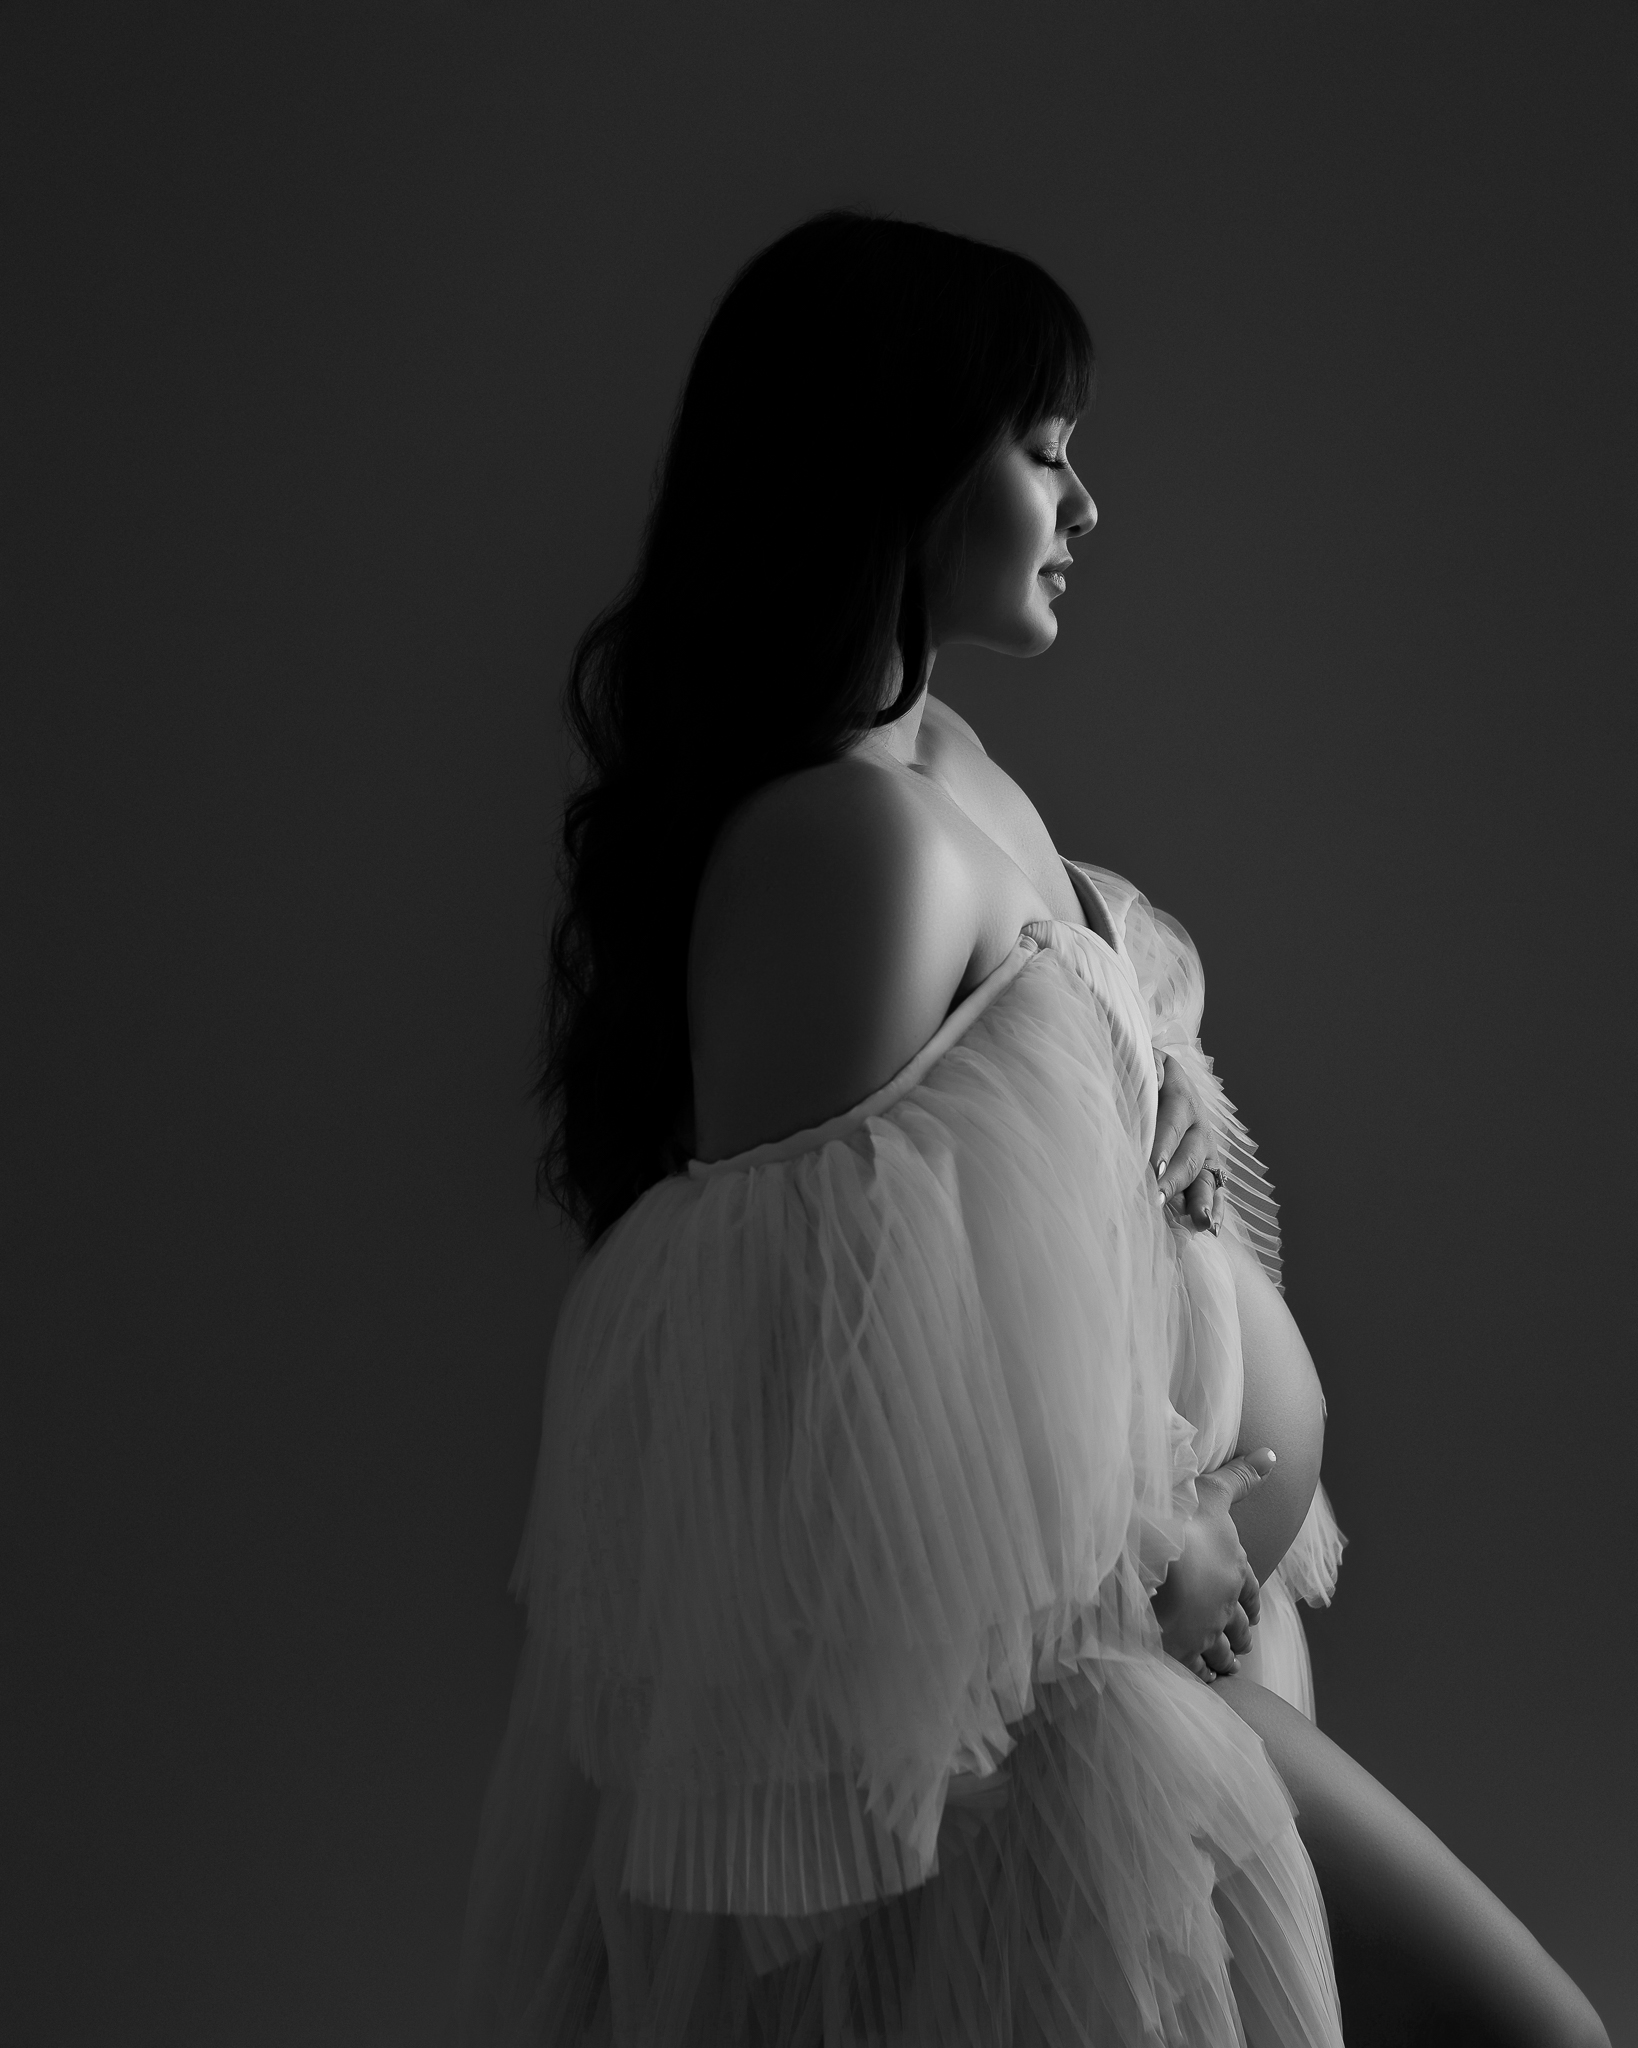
[349, 347]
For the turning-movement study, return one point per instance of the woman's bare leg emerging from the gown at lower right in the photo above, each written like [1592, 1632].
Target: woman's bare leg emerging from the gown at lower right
[1424, 1951]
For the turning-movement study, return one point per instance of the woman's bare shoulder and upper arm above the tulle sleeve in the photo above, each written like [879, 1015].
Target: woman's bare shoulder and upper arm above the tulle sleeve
[832, 931]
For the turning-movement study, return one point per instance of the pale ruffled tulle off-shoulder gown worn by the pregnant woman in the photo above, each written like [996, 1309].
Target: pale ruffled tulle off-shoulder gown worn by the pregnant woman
[863, 1455]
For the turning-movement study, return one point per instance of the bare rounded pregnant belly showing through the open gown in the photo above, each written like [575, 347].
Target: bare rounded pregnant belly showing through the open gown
[1283, 1408]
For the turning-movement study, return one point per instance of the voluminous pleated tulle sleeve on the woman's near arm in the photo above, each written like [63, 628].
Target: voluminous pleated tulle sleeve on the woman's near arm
[853, 1443]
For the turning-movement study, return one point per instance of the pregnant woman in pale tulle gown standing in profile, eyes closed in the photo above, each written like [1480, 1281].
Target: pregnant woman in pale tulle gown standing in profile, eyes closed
[929, 1459]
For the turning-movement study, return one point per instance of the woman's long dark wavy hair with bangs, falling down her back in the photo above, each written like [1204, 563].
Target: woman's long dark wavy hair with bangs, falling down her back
[853, 380]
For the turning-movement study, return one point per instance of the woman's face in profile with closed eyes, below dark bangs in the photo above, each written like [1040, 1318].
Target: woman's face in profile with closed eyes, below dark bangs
[998, 556]
